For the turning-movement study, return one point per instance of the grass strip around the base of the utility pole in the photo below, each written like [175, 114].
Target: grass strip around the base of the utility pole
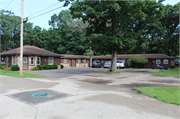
[16, 74]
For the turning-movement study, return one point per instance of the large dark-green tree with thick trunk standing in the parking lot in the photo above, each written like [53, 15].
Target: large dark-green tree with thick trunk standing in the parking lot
[112, 22]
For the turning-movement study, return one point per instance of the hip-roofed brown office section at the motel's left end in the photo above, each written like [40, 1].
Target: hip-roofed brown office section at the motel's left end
[32, 56]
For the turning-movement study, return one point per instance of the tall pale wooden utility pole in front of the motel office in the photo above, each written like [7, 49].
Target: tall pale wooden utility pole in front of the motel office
[21, 39]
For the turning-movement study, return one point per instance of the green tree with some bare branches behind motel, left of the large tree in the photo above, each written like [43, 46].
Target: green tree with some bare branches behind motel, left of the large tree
[67, 34]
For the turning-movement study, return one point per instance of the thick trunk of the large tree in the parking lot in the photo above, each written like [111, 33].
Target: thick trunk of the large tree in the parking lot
[114, 60]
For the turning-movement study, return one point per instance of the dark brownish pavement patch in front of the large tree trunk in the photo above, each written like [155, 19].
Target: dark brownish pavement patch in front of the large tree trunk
[97, 81]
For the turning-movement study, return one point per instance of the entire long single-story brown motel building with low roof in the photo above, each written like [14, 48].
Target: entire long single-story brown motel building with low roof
[33, 56]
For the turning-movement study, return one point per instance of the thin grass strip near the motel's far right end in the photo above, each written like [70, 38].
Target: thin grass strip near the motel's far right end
[173, 72]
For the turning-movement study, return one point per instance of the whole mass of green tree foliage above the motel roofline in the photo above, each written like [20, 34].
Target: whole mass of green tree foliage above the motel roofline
[113, 27]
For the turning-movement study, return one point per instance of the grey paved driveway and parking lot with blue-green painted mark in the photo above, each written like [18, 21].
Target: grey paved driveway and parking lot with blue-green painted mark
[85, 93]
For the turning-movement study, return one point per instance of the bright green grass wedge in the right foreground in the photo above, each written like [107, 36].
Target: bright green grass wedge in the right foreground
[165, 94]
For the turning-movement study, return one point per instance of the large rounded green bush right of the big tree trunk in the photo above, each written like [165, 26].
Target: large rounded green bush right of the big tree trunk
[137, 61]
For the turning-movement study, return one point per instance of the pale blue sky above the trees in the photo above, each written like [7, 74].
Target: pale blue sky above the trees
[41, 6]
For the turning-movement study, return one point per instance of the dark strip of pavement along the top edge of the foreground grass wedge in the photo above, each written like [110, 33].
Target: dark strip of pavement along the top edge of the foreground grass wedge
[144, 85]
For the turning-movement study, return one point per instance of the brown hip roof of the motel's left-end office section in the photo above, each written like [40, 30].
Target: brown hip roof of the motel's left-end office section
[30, 50]
